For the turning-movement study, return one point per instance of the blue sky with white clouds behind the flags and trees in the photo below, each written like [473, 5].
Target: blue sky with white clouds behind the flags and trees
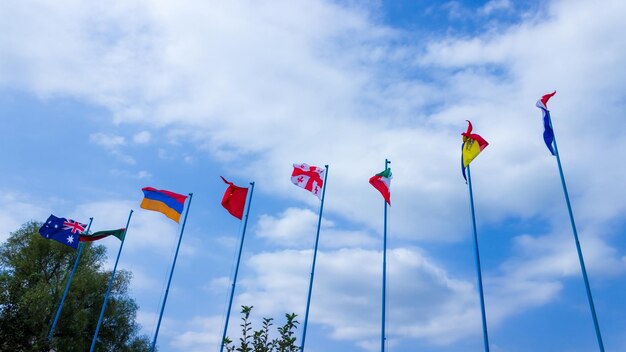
[100, 100]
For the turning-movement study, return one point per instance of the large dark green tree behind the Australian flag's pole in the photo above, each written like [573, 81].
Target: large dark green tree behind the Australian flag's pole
[33, 275]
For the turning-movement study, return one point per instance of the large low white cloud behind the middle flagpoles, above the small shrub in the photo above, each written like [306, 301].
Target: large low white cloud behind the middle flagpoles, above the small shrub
[343, 300]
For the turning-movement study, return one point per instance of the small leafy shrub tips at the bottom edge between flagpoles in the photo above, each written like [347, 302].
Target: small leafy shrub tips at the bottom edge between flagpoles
[259, 340]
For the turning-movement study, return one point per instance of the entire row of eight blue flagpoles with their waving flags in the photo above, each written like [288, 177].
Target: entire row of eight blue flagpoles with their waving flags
[237, 199]
